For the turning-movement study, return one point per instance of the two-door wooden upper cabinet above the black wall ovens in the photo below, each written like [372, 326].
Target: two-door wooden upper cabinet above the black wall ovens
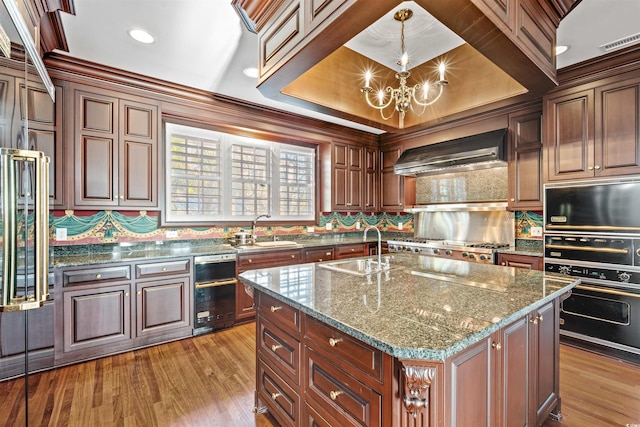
[593, 131]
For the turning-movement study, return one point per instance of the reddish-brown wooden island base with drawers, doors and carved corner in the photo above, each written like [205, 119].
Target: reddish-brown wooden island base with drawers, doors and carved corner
[311, 374]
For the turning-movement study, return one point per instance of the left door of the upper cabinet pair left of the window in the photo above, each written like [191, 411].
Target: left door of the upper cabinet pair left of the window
[96, 150]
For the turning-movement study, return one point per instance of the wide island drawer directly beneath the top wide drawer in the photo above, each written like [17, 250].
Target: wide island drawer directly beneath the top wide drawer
[336, 395]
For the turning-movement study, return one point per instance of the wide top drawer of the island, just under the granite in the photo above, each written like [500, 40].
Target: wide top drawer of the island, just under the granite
[352, 353]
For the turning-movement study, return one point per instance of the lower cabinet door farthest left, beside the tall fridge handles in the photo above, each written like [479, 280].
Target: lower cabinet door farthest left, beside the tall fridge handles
[96, 318]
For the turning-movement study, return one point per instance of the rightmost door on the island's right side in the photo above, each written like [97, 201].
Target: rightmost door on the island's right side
[544, 370]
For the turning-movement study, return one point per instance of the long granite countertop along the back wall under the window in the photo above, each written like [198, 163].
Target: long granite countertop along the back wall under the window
[68, 256]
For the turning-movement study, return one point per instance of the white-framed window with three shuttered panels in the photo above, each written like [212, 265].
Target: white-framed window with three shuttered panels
[212, 176]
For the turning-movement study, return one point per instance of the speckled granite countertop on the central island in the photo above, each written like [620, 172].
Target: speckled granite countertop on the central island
[425, 308]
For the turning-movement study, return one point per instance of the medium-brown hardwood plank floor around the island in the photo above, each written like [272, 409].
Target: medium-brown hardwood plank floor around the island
[209, 381]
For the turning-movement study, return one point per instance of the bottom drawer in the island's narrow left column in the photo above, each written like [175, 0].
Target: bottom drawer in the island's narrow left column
[282, 401]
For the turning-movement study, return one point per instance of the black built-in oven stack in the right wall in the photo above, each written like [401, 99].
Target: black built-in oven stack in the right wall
[592, 231]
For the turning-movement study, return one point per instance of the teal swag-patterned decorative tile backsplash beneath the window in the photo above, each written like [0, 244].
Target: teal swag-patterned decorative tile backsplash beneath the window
[89, 227]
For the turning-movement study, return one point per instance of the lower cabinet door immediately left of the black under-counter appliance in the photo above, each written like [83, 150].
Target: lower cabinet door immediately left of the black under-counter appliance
[162, 305]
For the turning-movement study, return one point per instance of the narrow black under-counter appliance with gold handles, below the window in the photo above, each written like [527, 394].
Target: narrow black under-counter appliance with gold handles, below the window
[215, 292]
